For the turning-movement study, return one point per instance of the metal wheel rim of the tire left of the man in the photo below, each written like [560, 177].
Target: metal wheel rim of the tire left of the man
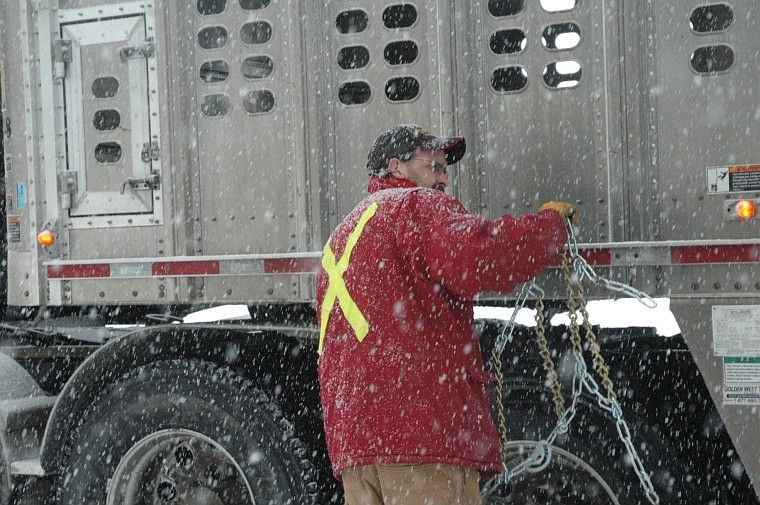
[178, 466]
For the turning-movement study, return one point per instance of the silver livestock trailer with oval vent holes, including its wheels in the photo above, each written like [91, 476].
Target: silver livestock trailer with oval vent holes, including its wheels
[174, 154]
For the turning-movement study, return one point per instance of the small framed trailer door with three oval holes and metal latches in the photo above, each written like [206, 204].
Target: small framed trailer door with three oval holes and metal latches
[111, 116]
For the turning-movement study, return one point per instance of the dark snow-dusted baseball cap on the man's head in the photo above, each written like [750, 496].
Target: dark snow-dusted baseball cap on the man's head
[402, 139]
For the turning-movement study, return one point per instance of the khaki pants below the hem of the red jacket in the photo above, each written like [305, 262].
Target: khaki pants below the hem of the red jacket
[427, 484]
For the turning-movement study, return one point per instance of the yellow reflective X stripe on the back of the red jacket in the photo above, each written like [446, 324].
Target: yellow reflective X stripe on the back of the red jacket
[336, 288]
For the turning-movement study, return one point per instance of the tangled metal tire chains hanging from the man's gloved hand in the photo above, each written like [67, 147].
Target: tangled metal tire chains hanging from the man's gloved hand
[540, 458]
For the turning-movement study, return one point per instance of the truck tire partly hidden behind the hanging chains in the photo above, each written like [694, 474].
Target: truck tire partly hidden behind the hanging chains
[589, 464]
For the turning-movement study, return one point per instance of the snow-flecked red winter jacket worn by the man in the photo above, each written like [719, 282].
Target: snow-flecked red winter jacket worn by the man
[414, 390]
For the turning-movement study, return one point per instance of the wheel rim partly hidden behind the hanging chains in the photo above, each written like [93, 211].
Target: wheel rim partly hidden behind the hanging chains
[567, 479]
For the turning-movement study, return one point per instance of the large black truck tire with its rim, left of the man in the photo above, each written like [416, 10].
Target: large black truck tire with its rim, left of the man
[185, 432]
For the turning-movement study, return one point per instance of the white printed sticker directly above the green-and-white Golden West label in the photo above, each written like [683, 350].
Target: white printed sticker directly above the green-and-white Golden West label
[736, 330]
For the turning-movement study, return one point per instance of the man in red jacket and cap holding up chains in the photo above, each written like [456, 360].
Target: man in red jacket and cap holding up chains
[403, 389]
